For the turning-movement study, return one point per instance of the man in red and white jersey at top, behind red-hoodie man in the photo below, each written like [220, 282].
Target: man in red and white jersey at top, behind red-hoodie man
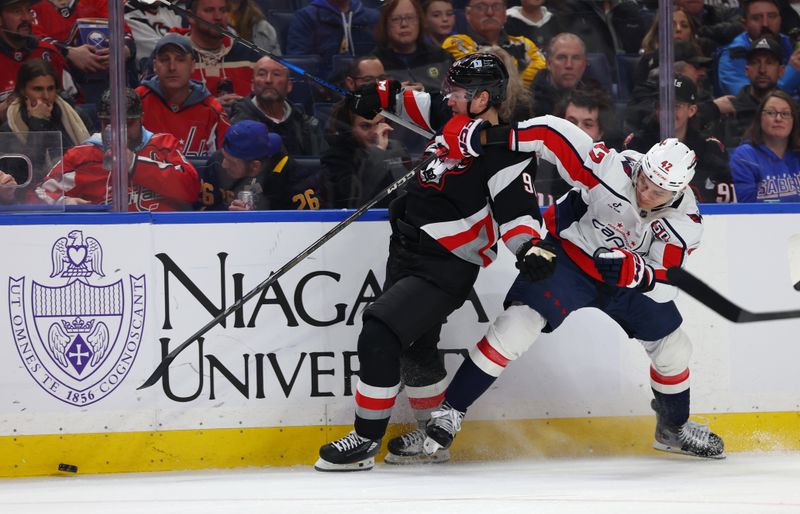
[224, 66]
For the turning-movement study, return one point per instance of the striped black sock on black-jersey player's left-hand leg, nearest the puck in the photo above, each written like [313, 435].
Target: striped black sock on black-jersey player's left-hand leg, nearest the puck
[379, 378]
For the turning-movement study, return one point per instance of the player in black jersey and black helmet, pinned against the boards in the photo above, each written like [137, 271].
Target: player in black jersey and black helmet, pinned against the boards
[444, 229]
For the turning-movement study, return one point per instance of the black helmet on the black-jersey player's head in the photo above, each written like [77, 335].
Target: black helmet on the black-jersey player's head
[480, 72]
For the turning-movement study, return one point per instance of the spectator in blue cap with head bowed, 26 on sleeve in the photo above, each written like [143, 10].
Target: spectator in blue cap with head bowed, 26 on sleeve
[253, 160]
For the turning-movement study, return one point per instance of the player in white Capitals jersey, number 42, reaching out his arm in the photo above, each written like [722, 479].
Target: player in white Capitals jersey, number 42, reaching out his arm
[628, 217]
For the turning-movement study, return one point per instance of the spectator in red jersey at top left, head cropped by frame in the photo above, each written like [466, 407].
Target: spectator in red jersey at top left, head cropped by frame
[89, 63]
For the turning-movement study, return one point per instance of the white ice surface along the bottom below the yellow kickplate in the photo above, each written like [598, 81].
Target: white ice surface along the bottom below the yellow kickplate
[752, 483]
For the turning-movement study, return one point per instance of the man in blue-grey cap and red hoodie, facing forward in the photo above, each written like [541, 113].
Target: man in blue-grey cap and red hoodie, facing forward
[177, 105]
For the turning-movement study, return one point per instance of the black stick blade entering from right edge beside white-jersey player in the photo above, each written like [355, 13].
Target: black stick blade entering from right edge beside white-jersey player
[703, 293]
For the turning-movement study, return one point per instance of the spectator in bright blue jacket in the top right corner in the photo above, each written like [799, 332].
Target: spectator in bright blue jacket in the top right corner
[761, 17]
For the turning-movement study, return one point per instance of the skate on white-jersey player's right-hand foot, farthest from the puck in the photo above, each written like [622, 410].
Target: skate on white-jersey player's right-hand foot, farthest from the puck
[691, 438]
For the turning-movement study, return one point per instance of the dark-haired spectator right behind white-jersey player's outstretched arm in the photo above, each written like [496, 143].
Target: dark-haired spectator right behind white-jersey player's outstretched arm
[591, 111]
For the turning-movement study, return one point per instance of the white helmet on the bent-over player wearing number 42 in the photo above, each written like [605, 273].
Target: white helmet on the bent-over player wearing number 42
[669, 164]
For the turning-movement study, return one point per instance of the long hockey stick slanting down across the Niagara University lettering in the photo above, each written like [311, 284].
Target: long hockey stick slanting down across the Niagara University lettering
[397, 184]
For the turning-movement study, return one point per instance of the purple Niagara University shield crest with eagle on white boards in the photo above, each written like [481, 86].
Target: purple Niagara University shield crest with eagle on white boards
[79, 333]
